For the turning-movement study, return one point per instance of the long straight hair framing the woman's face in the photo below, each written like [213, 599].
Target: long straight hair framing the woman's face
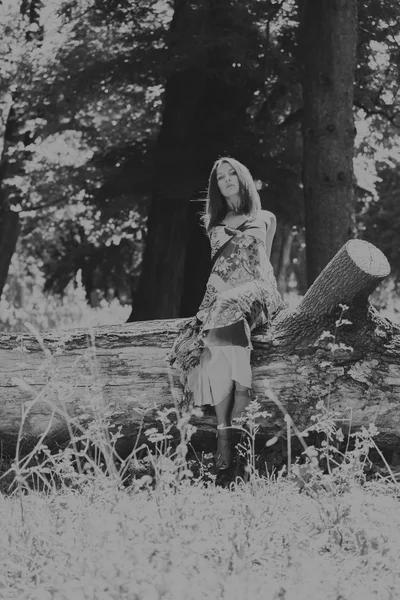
[216, 205]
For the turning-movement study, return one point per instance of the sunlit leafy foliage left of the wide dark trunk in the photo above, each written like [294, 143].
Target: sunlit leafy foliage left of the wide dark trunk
[80, 137]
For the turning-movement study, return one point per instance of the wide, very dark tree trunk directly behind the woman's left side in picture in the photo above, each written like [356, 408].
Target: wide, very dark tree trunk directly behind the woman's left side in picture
[204, 113]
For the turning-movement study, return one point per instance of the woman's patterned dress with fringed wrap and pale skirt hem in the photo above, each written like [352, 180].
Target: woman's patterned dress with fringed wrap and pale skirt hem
[213, 350]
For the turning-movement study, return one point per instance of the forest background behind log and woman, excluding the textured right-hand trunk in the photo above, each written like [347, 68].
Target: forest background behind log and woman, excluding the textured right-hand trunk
[112, 114]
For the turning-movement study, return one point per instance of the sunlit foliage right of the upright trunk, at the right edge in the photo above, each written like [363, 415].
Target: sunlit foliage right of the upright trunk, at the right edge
[378, 102]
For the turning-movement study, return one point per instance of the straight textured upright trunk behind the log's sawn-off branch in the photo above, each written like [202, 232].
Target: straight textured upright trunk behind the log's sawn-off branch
[328, 53]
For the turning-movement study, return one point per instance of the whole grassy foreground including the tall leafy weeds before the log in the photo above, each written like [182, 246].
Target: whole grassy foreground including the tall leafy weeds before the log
[164, 530]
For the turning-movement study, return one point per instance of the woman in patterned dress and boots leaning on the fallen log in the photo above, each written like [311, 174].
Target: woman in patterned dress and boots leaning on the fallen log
[213, 351]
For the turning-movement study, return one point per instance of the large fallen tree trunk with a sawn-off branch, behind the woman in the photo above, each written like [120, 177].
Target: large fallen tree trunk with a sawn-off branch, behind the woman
[348, 358]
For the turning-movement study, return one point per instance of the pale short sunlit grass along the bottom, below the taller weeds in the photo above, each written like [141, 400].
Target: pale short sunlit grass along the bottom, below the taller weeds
[200, 542]
